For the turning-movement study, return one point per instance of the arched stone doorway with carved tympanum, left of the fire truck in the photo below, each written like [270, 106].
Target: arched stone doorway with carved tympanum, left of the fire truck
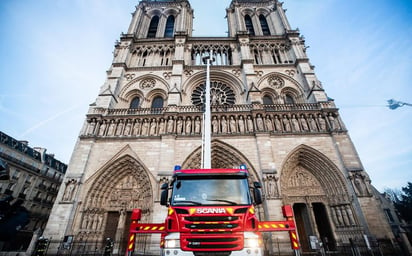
[114, 191]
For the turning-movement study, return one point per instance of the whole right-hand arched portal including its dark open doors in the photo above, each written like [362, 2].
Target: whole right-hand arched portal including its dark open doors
[316, 188]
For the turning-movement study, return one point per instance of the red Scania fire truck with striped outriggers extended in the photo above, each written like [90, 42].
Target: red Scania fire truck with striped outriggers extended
[211, 212]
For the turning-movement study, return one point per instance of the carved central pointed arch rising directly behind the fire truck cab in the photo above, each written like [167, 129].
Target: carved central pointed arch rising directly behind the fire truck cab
[223, 156]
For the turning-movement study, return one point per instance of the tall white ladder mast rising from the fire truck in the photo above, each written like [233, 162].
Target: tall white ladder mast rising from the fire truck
[206, 136]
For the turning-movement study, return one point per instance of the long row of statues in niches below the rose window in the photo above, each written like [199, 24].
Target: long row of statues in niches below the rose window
[187, 125]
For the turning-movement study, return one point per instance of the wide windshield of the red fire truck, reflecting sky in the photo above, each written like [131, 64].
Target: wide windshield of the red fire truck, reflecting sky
[211, 191]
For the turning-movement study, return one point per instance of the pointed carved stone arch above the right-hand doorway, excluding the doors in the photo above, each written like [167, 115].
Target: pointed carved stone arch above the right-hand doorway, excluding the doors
[321, 172]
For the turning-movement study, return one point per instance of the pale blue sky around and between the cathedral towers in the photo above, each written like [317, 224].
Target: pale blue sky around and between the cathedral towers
[54, 55]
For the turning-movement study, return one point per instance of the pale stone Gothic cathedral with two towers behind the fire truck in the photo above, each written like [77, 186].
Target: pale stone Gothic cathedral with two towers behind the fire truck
[269, 111]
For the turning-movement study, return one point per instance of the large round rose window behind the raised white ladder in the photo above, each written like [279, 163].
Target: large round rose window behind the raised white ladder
[220, 94]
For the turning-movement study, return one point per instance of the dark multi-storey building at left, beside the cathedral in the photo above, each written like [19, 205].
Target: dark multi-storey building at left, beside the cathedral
[35, 179]
